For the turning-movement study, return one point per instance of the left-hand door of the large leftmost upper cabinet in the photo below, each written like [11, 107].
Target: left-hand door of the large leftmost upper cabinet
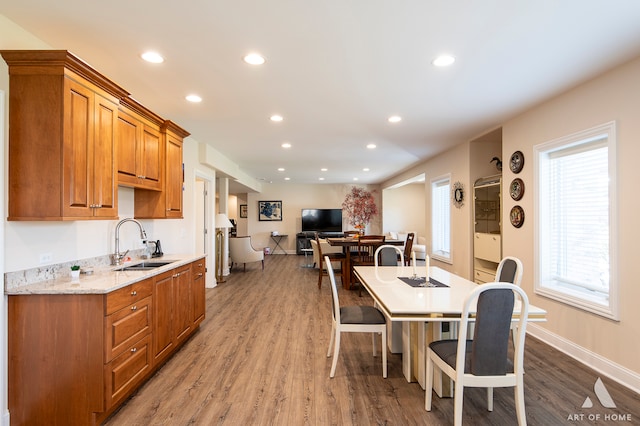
[77, 146]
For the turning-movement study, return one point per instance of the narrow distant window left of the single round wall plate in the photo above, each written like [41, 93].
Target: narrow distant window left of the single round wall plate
[441, 219]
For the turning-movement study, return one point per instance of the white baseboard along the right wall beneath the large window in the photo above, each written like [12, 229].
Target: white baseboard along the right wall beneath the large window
[608, 368]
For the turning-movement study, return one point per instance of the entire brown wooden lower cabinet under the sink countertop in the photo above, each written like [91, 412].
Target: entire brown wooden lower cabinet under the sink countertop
[74, 358]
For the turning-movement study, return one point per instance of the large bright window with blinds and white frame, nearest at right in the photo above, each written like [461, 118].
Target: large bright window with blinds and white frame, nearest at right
[576, 221]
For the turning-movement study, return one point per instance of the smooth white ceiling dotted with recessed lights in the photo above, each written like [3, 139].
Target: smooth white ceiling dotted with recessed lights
[336, 70]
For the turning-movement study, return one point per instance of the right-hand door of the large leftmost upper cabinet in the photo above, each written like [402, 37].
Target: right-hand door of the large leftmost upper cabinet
[104, 182]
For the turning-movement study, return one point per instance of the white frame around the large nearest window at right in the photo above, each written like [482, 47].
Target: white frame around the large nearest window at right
[606, 305]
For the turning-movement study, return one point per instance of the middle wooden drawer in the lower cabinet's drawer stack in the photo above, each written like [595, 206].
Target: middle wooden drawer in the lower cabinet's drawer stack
[127, 326]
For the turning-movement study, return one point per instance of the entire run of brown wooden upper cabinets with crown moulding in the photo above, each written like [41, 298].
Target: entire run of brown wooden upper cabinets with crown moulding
[74, 136]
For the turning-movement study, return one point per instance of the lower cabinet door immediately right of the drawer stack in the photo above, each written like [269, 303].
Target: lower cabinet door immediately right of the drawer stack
[163, 341]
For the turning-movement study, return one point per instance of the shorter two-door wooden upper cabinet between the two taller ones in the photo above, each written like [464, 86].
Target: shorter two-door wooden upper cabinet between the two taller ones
[139, 147]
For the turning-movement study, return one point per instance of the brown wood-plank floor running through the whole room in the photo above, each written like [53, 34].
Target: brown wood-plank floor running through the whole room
[260, 359]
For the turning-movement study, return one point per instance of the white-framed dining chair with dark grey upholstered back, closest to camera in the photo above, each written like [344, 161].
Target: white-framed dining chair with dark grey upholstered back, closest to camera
[483, 361]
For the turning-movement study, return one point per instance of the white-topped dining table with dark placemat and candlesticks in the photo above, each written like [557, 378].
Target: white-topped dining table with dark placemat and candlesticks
[420, 308]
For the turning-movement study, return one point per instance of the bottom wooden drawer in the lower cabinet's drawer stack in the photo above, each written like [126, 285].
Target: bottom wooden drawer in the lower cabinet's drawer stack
[125, 372]
